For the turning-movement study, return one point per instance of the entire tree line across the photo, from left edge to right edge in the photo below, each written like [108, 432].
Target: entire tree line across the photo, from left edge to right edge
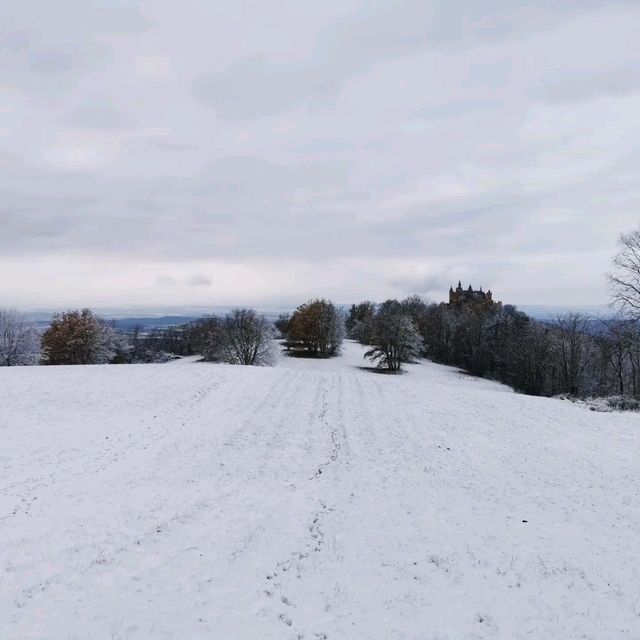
[574, 354]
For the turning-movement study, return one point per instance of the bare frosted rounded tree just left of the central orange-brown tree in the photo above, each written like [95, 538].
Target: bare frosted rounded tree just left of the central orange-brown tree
[246, 337]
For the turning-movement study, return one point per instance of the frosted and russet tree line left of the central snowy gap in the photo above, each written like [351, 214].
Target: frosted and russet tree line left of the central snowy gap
[242, 336]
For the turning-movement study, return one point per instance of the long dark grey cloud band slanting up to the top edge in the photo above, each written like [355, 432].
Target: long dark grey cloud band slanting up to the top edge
[254, 87]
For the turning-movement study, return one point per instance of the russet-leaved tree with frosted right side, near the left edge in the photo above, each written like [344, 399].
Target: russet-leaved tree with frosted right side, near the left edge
[79, 337]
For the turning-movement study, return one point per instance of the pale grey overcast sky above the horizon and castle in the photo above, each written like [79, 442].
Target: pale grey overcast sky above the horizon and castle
[262, 152]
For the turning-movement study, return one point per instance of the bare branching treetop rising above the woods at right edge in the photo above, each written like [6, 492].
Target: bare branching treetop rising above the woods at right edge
[624, 279]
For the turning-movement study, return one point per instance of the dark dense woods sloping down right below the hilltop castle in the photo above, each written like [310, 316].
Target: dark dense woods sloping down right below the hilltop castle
[573, 354]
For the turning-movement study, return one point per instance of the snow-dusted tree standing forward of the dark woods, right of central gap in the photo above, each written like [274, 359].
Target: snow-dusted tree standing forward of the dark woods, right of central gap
[394, 338]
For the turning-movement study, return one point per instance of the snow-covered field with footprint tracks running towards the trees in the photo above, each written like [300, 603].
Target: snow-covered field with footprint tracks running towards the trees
[311, 500]
